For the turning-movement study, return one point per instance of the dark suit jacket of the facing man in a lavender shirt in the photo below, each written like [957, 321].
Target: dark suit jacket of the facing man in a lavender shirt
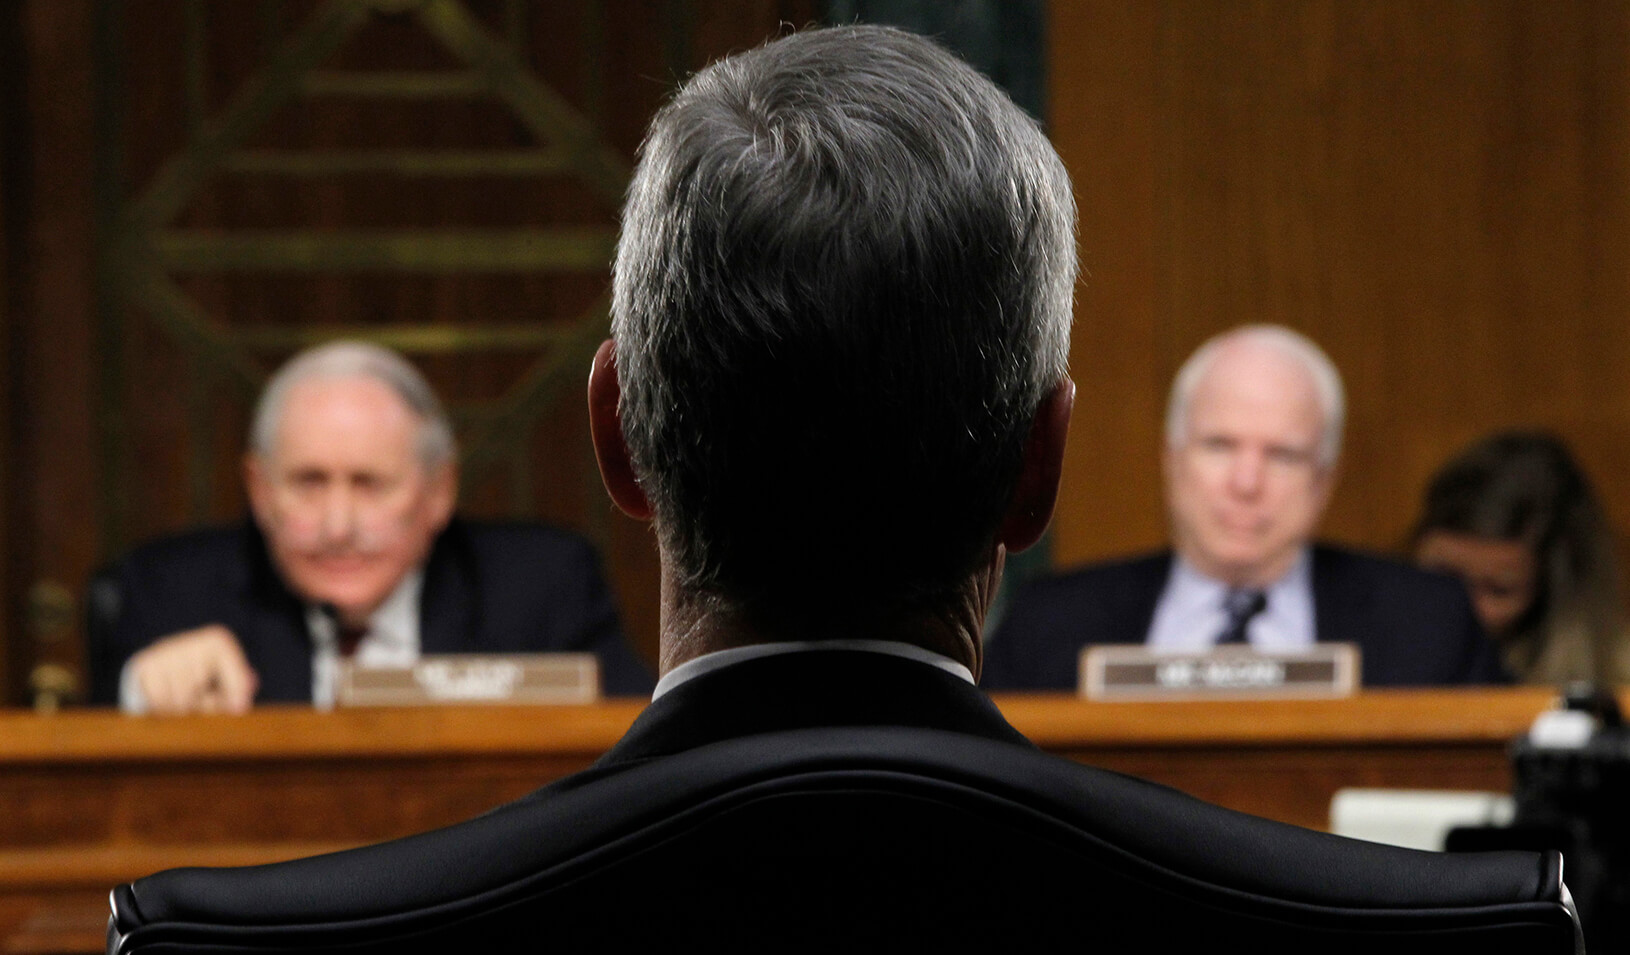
[1412, 628]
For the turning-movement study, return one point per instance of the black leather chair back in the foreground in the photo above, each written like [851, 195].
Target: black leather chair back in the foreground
[860, 840]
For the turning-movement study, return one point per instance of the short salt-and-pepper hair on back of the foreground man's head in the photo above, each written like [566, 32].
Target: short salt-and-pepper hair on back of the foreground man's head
[842, 291]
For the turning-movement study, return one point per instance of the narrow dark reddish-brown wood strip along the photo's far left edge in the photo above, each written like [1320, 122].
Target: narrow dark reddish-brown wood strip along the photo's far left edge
[53, 534]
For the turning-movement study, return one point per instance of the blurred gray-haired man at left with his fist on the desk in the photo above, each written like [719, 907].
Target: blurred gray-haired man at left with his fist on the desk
[351, 552]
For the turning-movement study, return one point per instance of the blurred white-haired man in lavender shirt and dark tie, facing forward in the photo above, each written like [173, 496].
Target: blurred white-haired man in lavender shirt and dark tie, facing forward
[1253, 441]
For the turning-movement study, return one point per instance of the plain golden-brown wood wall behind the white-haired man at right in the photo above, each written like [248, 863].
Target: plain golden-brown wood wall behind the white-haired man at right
[1437, 193]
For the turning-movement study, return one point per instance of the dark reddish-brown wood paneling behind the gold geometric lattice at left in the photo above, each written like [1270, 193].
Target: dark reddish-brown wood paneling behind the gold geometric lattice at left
[79, 493]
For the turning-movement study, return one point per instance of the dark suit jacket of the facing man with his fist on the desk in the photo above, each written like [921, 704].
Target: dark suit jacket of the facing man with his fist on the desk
[488, 589]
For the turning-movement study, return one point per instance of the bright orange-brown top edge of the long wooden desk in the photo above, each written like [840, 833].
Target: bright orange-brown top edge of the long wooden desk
[1054, 721]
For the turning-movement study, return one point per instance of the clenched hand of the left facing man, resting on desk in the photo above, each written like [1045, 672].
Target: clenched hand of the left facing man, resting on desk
[200, 671]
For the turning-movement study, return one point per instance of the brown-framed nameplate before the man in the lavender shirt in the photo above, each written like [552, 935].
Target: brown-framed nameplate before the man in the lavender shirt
[1127, 672]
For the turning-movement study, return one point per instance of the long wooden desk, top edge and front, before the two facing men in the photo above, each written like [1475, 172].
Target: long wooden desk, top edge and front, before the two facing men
[92, 798]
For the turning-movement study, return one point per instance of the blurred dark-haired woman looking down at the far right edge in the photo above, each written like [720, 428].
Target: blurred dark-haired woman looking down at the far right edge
[1517, 519]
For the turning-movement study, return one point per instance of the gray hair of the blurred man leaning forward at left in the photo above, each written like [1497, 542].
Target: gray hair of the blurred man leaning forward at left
[351, 359]
